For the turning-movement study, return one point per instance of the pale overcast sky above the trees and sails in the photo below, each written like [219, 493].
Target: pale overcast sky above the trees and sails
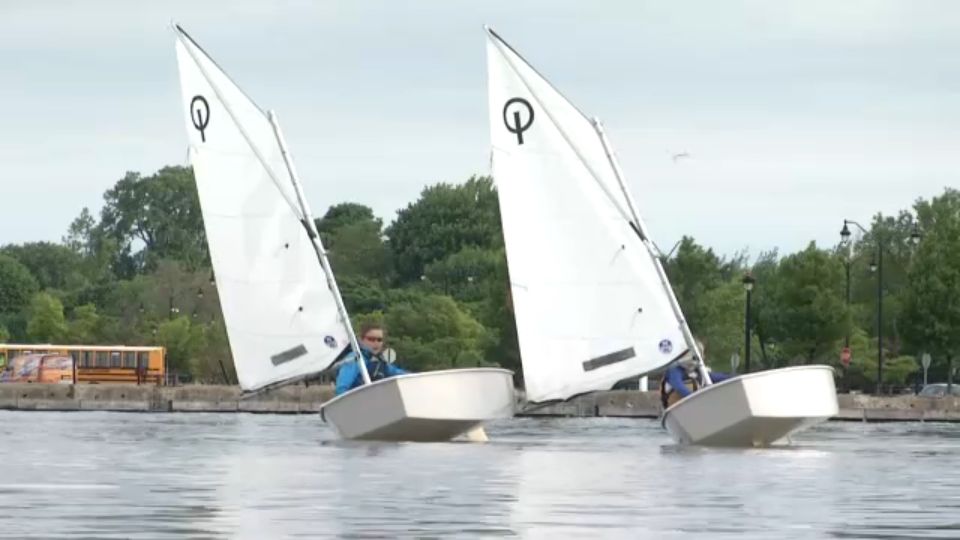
[796, 115]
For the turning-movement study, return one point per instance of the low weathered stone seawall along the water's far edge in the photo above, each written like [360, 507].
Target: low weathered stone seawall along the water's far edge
[301, 399]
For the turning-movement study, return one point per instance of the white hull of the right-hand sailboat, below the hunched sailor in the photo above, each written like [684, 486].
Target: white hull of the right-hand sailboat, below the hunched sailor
[754, 410]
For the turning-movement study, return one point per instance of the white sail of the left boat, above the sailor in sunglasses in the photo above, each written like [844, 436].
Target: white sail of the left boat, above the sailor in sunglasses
[280, 314]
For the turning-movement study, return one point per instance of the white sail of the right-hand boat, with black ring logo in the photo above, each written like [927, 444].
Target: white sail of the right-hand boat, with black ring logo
[590, 306]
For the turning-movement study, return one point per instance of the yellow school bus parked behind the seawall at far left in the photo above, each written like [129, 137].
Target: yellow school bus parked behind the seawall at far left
[99, 364]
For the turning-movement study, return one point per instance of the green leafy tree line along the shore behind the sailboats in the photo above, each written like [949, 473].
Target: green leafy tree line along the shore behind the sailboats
[436, 276]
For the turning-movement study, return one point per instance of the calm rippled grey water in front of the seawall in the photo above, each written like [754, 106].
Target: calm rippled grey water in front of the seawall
[118, 475]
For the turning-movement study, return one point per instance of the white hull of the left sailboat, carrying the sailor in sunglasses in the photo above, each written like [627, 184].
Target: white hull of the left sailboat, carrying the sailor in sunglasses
[422, 407]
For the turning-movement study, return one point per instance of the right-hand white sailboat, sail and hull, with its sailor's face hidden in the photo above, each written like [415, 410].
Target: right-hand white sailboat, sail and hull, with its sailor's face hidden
[592, 302]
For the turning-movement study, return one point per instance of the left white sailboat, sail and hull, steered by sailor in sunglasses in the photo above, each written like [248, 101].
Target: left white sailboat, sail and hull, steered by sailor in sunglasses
[283, 312]
